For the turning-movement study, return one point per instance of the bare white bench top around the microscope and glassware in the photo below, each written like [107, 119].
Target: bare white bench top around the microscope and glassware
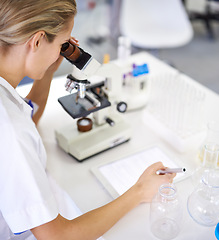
[88, 193]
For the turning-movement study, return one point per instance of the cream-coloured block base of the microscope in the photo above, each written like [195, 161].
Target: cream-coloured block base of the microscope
[82, 145]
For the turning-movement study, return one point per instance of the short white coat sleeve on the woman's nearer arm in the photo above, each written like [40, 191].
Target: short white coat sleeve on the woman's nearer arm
[26, 198]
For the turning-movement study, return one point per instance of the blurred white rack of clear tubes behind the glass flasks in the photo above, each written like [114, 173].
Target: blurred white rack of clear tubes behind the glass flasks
[176, 110]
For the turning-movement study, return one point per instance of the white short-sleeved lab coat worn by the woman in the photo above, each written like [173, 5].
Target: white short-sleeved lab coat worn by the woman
[28, 196]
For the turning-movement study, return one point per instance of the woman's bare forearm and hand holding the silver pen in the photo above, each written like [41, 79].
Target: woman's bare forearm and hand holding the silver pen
[92, 222]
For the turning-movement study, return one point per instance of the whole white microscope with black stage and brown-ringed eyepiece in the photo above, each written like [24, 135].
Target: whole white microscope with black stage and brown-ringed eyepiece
[94, 103]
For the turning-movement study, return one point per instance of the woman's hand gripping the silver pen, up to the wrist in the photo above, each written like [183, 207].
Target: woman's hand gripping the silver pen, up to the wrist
[149, 182]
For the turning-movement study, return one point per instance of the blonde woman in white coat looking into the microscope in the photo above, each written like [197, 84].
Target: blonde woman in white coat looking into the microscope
[31, 35]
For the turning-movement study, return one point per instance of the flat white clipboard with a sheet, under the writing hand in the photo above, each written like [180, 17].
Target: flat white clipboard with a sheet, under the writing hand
[117, 176]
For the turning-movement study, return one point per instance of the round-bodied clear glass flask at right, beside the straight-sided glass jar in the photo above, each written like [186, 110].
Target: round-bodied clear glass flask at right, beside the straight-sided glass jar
[203, 203]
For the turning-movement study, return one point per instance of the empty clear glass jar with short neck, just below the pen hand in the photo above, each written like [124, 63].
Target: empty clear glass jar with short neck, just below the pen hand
[166, 213]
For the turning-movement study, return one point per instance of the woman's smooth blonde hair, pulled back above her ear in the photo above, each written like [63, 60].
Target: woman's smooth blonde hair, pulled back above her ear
[21, 19]
